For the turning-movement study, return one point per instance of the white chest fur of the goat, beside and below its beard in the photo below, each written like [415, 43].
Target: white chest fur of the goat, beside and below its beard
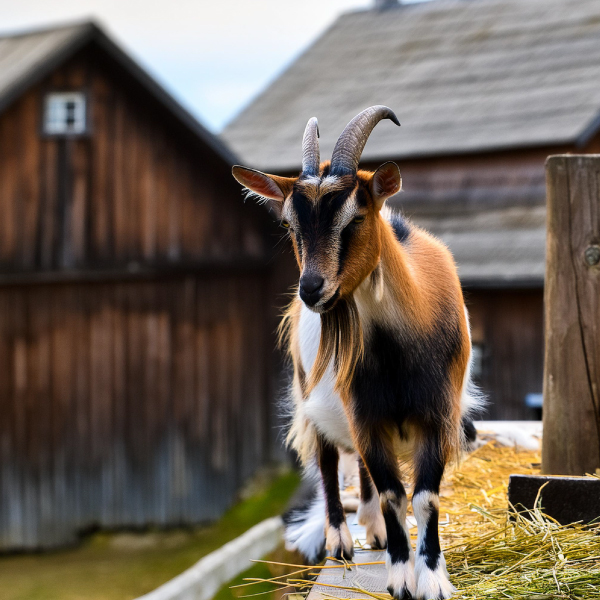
[323, 406]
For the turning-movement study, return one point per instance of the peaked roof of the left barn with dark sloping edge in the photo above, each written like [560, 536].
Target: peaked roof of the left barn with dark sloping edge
[27, 58]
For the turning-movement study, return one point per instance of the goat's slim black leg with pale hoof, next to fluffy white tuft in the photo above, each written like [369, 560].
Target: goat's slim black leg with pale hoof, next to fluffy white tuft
[338, 540]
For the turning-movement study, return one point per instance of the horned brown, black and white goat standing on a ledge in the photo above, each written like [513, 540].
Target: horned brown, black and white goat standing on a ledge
[380, 343]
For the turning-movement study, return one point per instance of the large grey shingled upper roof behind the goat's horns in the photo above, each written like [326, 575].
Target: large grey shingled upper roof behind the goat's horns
[462, 76]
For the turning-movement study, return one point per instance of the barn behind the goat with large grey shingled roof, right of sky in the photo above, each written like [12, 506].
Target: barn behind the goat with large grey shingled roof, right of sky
[485, 91]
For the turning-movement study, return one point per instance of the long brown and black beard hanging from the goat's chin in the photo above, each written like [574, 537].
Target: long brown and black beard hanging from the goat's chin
[342, 341]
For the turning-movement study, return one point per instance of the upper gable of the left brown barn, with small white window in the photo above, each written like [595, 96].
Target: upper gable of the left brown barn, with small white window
[142, 187]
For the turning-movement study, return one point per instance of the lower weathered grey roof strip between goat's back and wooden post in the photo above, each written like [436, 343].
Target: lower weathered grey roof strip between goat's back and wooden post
[497, 236]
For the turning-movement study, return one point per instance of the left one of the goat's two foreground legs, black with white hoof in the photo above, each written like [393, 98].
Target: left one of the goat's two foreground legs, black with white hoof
[377, 451]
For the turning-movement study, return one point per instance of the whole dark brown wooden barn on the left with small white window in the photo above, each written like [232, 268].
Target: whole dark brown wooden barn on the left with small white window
[135, 328]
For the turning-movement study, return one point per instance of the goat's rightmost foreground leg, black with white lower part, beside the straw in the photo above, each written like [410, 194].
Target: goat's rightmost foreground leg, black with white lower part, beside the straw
[430, 567]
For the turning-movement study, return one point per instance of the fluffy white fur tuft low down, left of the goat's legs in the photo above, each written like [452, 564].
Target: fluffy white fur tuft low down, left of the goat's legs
[305, 522]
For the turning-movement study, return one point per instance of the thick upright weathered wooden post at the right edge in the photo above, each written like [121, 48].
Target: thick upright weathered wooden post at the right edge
[571, 440]
